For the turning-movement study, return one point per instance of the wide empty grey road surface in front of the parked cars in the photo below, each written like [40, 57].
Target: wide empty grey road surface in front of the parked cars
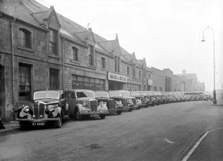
[160, 133]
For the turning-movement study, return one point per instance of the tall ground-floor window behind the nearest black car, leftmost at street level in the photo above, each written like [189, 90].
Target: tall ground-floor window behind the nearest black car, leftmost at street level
[24, 82]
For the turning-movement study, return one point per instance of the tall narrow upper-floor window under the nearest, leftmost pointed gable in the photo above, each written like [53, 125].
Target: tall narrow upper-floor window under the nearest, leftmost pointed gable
[53, 42]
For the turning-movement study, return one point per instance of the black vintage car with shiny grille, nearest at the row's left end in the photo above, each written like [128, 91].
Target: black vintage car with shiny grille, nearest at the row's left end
[48, 106]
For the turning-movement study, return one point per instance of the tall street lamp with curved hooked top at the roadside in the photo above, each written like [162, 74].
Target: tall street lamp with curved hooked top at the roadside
[203, 40]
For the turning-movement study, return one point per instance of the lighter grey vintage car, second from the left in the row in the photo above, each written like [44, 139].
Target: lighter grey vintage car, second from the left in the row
[82, 103]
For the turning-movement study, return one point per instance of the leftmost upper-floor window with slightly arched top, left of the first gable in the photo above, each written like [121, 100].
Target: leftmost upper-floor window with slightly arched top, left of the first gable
[25, 38]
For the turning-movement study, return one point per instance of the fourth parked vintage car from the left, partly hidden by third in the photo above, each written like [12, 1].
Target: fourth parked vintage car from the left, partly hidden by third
[125, 97]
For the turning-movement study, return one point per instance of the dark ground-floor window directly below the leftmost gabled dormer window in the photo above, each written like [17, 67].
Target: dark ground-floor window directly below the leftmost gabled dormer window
[54, 78]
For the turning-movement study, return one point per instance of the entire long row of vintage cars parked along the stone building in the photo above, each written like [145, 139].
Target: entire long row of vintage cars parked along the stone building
[55, 106]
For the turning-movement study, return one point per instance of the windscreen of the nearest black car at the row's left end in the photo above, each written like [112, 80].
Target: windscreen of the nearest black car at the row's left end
[46, 94]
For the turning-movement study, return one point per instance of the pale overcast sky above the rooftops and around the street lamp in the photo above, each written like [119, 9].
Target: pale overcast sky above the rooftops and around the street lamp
[167, 33]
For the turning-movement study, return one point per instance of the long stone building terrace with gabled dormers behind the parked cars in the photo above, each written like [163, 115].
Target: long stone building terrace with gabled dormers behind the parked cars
[40, 49]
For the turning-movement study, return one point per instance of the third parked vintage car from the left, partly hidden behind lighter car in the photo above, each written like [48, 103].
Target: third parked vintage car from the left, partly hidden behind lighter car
[114, 106]
